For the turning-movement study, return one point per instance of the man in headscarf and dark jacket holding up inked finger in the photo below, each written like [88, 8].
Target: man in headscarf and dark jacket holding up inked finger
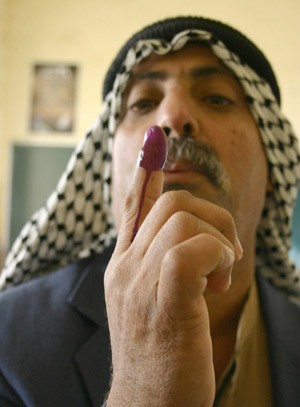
[192, 319]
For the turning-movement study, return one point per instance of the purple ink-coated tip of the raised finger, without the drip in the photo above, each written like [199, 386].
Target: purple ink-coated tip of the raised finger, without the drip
[153, 154]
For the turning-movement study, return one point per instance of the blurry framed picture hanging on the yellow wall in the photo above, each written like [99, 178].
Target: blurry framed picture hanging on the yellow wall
[53, 97]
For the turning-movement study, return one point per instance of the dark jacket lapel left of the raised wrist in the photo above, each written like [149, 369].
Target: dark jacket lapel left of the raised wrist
[93, 359]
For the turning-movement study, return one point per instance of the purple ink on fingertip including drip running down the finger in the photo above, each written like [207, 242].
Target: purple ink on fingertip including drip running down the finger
[152, 157]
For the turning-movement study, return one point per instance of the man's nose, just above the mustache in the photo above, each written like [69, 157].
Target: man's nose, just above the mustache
[178, 116]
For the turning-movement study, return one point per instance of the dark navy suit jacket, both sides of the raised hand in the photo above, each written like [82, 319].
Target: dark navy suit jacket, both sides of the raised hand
[54, 340]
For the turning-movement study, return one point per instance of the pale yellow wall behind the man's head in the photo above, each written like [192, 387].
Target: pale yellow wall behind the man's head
[89, 33]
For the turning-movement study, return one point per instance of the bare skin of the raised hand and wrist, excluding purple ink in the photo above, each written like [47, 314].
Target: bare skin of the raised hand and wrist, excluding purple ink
[158, 319]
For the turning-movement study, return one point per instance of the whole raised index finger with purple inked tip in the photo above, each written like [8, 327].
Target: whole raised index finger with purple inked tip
[146, 186]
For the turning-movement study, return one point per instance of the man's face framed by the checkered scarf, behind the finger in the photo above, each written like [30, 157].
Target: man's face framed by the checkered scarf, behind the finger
[191, 89]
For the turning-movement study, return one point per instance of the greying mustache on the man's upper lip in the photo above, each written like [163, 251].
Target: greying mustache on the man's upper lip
[198, 155]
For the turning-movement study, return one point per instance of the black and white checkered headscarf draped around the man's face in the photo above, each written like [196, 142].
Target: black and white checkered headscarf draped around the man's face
[76, 220]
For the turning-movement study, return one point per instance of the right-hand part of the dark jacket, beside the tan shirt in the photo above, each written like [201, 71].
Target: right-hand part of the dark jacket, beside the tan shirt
[282, 320]
